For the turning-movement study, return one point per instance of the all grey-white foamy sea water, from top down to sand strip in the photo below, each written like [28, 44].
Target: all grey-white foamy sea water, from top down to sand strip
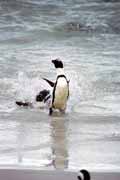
[85, 34]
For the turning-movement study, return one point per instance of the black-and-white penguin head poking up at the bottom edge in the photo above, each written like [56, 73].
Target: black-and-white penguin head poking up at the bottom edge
[83, 175]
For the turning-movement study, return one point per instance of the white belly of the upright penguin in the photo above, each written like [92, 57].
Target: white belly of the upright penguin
[61, 94]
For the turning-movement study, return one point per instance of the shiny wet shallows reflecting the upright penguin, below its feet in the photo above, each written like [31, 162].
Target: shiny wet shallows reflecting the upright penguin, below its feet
[71, 141]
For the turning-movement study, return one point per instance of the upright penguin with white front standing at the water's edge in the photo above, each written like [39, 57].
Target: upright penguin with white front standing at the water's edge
[60, 92]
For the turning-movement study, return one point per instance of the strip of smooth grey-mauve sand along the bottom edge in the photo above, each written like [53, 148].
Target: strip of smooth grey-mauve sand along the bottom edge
[23, 174]
